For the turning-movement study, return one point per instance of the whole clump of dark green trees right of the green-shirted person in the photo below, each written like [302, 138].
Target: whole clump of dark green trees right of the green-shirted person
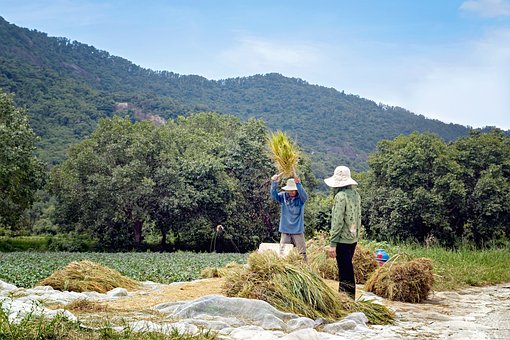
[424, 190]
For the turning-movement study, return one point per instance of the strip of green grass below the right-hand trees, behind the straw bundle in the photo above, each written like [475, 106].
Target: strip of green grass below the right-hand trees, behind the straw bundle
[460, 268]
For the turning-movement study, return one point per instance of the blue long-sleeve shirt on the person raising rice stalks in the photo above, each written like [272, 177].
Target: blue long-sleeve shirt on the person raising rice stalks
[292, 210]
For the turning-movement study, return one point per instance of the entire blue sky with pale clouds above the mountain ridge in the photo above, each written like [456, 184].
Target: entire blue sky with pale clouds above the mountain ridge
[445, 59]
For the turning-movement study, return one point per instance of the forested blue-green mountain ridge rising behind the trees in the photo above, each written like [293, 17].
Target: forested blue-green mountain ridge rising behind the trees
[66, 86]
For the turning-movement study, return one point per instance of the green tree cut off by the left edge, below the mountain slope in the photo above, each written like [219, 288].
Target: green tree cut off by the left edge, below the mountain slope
[21, 173]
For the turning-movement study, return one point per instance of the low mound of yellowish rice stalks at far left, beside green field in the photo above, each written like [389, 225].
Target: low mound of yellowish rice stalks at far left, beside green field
[86, 276]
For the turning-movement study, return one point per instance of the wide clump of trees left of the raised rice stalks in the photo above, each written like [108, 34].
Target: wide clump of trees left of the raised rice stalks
[180, 180]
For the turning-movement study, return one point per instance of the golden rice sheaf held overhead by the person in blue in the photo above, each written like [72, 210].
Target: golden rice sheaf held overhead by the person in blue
[284, 153]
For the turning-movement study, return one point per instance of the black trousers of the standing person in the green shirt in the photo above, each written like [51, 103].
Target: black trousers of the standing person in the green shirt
[344, 254]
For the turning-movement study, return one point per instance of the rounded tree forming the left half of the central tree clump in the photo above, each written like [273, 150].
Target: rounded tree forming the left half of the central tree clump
[105, 186]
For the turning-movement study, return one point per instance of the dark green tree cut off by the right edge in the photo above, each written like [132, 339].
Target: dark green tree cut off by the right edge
[485, 164]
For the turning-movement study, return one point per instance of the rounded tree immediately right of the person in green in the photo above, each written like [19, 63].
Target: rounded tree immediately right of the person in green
[414, 191]
